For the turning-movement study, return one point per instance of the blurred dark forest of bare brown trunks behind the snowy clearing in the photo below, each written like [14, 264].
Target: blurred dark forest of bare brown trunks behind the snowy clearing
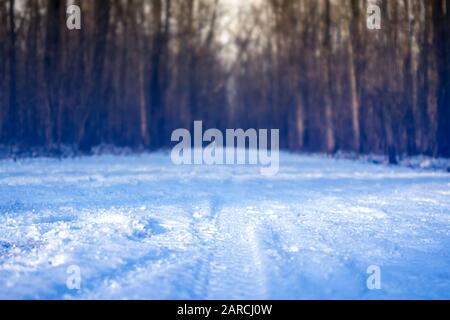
[139, 69]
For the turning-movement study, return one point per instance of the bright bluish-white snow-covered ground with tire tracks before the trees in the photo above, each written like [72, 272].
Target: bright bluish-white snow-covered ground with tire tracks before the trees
[139, 227]
